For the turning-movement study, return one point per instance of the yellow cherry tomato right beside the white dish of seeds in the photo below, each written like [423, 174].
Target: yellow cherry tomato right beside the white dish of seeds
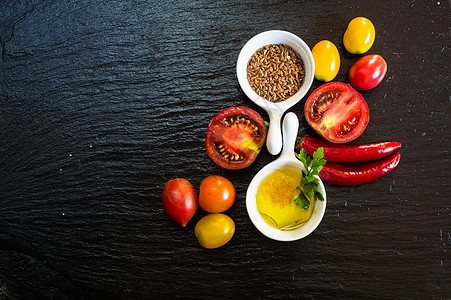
[327, 60]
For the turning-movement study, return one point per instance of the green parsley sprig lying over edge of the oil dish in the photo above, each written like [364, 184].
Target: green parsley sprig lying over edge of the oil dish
[309, 182]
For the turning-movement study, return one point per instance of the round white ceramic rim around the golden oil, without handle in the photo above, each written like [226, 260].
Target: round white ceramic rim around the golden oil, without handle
[262, 225]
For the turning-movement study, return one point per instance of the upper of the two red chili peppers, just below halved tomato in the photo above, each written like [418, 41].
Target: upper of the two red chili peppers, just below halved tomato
[348, 153]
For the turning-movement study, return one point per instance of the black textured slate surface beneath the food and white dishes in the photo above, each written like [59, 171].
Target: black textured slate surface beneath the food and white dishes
[102, 102]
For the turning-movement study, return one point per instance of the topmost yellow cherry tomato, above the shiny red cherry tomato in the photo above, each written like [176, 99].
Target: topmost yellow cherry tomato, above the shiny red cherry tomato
[359, 36]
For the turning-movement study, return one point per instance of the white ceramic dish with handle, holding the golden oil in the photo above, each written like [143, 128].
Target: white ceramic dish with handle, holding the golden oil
[287, 159]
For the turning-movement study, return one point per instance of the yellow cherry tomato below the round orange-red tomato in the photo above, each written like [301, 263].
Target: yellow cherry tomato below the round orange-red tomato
[214, 230]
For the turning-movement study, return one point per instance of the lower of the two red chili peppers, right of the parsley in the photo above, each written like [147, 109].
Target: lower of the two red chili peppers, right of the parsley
[358, 174]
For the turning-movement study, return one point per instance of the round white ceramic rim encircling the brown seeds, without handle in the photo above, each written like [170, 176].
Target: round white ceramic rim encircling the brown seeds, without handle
[275, 37]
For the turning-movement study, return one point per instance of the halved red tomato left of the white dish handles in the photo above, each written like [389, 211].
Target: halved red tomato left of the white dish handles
[235, 136]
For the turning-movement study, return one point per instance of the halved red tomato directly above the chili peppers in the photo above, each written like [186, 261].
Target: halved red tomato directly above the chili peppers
[337, 112]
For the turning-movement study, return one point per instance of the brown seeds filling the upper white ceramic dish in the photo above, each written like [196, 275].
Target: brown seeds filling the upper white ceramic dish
[275, 72]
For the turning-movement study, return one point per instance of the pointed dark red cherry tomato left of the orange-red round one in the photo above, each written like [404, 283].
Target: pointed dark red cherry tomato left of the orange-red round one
[179, 200]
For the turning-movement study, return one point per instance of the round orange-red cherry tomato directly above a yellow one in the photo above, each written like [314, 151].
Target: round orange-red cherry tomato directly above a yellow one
[217, 194]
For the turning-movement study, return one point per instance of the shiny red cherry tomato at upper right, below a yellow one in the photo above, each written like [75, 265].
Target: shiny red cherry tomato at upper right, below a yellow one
[367, 72]
